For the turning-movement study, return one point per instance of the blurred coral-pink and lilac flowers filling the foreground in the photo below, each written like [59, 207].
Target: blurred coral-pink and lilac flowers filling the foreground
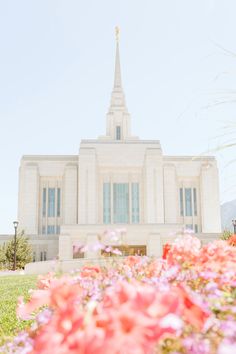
[183, 303]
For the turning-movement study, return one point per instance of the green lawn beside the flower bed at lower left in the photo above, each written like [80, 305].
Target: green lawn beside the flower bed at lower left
[11, 287]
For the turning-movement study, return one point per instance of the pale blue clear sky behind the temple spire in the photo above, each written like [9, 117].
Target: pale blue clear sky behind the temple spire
[178, 60]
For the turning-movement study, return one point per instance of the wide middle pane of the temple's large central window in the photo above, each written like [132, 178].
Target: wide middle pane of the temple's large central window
[120, 203]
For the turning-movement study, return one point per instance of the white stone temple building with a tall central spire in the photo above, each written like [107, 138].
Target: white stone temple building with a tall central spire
[117, 181]
